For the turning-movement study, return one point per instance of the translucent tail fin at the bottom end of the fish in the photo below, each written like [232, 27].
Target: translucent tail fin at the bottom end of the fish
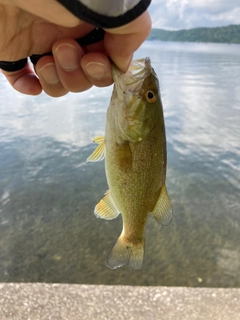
[126, 253]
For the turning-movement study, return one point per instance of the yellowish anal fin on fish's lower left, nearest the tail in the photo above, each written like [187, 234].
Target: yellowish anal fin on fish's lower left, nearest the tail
[106, 208]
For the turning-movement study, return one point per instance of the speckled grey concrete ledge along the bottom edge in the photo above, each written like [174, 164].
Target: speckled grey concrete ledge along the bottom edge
[38, 301]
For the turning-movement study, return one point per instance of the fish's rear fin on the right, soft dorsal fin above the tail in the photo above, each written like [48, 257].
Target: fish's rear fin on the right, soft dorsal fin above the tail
[162, 211]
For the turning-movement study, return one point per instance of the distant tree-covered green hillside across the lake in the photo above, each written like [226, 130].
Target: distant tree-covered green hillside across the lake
[229, 34]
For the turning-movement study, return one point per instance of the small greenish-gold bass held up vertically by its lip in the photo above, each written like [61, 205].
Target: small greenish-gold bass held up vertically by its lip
[134, 148]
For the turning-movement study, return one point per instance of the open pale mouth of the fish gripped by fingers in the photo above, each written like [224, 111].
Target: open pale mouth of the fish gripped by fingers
[132, 80]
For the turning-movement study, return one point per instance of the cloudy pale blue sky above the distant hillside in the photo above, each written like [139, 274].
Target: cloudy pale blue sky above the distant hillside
[186, 14]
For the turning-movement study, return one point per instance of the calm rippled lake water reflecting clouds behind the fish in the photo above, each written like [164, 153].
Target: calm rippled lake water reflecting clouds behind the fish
[48, 231]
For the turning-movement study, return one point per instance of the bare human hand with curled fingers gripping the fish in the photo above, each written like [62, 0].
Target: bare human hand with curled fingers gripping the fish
[28, 28]
